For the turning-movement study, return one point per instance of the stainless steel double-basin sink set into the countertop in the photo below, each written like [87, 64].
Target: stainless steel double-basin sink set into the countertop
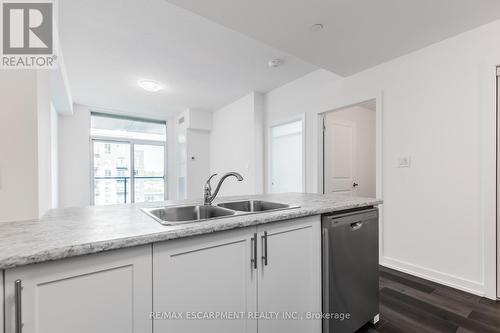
[173, 215]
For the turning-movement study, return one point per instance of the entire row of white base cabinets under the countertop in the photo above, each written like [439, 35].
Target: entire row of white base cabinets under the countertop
[214, 283]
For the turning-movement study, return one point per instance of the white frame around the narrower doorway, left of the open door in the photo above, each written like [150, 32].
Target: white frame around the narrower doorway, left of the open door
[299, 117]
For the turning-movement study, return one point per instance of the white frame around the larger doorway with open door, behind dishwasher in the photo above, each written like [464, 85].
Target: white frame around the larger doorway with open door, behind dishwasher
[378, 97]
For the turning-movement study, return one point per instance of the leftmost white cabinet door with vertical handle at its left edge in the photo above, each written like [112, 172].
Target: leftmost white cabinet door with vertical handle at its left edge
[100, 293]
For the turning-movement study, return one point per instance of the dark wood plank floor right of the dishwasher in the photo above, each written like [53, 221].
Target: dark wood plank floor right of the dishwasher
[412, 305]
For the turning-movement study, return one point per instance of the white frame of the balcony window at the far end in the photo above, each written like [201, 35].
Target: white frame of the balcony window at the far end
[132, 143]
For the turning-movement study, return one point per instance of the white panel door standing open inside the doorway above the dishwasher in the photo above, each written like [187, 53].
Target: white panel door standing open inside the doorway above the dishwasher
[339, 158]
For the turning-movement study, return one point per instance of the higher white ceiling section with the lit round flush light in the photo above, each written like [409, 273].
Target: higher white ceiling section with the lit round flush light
[109, 45]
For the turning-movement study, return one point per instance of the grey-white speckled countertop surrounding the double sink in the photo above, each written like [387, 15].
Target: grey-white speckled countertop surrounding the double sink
[69, 232]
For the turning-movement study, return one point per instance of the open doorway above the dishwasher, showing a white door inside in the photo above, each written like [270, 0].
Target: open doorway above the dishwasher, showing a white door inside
[349, 150]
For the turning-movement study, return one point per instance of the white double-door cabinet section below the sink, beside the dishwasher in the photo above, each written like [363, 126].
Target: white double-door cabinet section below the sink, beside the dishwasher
[215, 273]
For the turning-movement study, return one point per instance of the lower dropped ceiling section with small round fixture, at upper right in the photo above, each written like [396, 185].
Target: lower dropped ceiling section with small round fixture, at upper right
[357, 34]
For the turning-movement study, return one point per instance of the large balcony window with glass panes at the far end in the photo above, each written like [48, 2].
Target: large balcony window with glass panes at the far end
[129, 160]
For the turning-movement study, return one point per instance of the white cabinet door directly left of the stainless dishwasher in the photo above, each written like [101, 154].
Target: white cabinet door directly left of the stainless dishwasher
[290, 283]
